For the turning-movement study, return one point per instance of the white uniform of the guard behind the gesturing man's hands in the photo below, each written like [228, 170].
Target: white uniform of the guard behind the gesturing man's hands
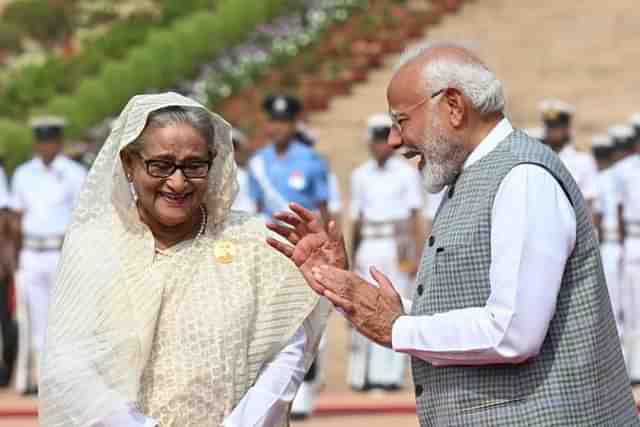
[381, 195]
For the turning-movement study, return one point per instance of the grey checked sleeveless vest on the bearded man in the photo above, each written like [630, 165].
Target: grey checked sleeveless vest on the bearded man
[579, 377]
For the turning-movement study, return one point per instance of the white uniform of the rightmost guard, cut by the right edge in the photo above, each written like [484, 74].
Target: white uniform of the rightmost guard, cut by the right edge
[627, 173]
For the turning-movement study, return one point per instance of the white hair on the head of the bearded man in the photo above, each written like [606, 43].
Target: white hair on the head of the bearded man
[472, 78]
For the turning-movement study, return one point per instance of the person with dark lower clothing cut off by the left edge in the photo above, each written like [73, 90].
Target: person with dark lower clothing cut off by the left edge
[7, 268]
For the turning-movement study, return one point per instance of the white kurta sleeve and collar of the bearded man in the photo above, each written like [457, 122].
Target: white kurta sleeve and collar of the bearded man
[532, 235]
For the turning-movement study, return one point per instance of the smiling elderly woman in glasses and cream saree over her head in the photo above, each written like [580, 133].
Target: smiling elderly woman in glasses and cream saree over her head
[170, 309]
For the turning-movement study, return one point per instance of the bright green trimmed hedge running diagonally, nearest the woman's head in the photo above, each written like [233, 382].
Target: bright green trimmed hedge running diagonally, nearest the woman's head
[165, 57]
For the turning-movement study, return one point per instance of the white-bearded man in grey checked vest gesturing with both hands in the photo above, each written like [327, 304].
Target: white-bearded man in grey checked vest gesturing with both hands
[511, 323]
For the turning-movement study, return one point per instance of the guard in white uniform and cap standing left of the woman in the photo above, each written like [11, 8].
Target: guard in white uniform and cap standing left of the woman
[44, 192]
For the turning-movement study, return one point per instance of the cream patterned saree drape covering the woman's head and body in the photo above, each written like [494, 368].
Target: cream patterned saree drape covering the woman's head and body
[180, 337]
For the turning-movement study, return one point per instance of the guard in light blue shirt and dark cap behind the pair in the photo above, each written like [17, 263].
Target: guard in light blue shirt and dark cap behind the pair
[287, 171]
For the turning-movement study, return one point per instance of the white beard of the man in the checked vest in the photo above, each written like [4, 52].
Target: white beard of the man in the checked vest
[444, 158]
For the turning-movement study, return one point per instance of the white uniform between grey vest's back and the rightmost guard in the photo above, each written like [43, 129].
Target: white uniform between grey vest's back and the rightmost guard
[606, 204]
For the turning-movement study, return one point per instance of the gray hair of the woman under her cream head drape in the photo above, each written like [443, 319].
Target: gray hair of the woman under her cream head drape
[199, 119]
